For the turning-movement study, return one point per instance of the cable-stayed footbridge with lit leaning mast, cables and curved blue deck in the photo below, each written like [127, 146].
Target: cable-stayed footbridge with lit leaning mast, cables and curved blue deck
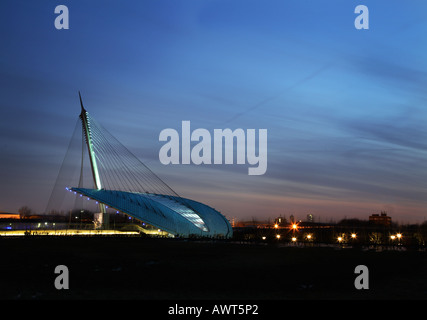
[123, 183]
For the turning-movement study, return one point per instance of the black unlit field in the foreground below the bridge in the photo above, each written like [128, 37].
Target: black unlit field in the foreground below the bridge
[161, 269]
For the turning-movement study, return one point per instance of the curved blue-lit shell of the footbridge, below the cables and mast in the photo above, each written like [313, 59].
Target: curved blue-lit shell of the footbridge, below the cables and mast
[175, 215]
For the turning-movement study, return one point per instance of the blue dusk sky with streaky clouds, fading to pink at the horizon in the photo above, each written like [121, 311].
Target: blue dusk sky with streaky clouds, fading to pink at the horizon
[345, 109]
